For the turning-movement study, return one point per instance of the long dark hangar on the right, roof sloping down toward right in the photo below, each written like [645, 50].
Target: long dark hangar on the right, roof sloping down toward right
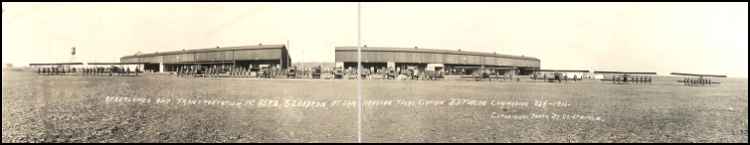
[449, 61]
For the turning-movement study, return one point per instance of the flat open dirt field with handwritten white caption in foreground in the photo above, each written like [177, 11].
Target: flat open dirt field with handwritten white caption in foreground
[76, 109]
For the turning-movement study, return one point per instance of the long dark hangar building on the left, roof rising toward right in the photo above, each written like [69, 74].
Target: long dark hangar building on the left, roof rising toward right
[251, 56]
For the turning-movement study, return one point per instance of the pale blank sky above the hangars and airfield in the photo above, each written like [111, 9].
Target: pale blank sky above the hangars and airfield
[660, 37]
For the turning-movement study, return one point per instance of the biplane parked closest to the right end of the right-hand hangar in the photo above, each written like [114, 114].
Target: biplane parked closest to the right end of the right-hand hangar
[551, 75]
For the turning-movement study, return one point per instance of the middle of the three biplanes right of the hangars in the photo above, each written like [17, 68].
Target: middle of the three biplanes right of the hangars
[619, 77]
